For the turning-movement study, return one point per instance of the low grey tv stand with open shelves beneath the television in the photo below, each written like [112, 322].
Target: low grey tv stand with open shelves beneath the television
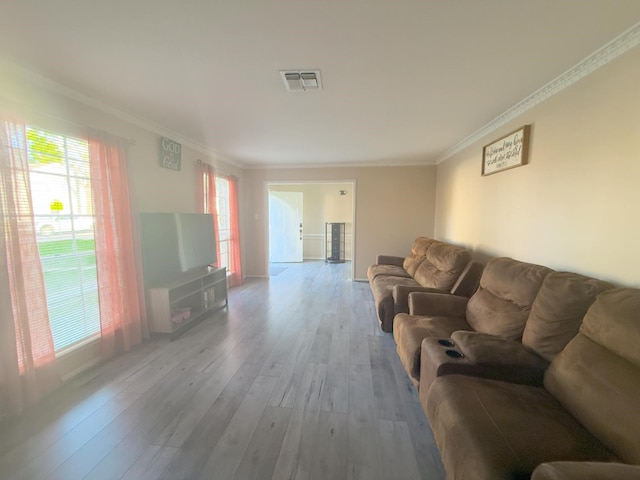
[180, 304]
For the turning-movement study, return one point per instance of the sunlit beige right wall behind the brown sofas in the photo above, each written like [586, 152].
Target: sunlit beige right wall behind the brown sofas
[575, 205]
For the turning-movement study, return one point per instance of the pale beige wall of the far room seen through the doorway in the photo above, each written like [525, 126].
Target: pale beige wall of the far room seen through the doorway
[322, 203]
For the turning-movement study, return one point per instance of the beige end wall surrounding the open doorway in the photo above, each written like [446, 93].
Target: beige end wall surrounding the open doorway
[393, 205]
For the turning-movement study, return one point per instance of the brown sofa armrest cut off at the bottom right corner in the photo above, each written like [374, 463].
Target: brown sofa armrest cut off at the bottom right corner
[585, 471]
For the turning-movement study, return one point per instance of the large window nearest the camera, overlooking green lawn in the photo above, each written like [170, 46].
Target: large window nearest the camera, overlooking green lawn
[64, 220]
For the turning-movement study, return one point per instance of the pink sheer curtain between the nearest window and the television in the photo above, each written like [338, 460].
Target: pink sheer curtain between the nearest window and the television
[122, 311]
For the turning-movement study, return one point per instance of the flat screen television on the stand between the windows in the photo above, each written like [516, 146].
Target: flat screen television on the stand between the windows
[175, 243]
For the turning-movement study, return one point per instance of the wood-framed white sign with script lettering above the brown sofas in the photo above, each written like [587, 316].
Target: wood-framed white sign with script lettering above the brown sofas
[507, 152]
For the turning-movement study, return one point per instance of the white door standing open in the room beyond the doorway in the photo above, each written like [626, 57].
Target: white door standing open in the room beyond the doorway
[285, 226]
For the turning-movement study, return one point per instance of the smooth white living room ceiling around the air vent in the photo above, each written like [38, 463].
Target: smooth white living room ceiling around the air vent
[403, 80]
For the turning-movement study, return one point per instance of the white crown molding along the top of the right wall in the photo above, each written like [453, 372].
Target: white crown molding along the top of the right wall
[619, 45]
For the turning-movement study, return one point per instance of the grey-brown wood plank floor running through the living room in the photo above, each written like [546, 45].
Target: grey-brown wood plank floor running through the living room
[295, 381]
